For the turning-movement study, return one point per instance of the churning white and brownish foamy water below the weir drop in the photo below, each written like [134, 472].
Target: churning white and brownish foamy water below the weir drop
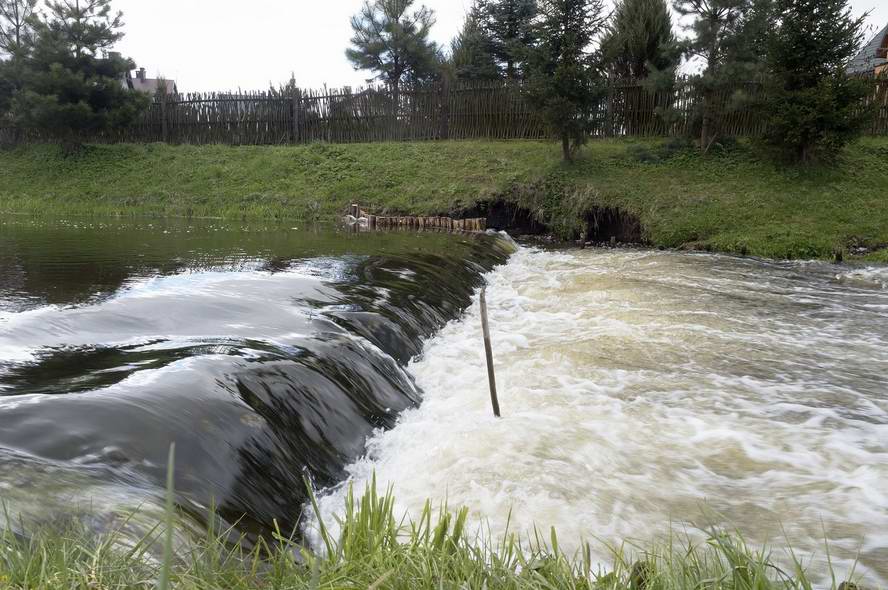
[643, 390]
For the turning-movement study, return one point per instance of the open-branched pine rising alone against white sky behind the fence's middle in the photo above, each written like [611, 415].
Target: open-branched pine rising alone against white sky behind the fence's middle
[393, 42]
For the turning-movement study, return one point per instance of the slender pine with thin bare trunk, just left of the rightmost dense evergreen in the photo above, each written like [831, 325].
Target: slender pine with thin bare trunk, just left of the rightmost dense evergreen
[716, 27]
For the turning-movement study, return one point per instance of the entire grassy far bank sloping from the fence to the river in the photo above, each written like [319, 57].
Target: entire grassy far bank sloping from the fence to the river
[731, 200]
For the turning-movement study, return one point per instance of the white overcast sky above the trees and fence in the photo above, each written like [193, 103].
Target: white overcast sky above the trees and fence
[227, 44]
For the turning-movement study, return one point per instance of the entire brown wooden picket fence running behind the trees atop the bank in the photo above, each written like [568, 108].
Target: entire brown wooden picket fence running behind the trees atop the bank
[488, 110]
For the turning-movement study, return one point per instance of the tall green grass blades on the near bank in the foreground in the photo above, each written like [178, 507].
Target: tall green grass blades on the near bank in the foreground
[376, 550]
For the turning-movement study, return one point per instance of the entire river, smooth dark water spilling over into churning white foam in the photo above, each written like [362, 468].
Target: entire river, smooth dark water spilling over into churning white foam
[642, 391]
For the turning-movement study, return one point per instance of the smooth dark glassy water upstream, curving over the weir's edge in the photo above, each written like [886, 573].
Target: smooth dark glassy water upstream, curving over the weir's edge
[266, 353]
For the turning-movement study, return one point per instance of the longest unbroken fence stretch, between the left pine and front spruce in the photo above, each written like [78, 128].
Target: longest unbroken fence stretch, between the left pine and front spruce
[373, 114]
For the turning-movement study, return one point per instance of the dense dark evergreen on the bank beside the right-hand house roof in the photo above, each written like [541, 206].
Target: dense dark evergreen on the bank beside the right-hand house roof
[813, 106]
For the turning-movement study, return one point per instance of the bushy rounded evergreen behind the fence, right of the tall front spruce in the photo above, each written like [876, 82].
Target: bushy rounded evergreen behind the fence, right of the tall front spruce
[639, 41]
